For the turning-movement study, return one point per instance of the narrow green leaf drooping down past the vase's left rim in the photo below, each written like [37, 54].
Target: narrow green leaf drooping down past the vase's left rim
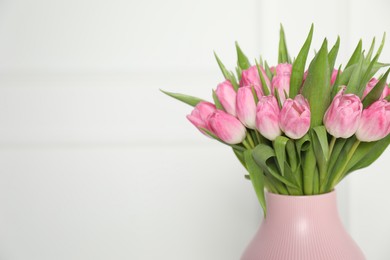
[257, 178]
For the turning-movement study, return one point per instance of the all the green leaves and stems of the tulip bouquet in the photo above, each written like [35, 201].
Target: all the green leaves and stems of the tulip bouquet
[317, 162]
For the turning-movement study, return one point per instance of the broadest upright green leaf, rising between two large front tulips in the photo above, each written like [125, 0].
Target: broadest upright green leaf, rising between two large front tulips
[316, 88]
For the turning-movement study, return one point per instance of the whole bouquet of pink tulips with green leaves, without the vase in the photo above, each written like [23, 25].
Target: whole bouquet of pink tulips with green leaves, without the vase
[299, 132]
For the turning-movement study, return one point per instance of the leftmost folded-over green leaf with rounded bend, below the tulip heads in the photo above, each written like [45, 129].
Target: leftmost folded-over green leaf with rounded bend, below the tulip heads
[264, 156]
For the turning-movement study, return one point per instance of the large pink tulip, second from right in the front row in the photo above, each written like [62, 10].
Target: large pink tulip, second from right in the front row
[343, 115]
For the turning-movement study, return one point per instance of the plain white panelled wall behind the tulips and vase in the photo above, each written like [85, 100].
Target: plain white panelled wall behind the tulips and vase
[96, 163]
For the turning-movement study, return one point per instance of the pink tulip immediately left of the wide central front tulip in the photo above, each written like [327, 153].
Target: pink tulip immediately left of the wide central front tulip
[267, 117]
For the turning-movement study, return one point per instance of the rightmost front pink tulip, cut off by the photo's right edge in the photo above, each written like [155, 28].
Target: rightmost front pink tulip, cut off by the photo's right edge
[375, 122]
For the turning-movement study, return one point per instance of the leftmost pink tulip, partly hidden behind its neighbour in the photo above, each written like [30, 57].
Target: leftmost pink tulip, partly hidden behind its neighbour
[200, 114]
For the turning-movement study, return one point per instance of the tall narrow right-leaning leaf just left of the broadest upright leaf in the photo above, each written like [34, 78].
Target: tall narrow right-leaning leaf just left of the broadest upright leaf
[298, 67]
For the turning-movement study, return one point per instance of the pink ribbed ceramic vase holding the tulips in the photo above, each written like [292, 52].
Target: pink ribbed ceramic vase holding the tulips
[302, 228]
